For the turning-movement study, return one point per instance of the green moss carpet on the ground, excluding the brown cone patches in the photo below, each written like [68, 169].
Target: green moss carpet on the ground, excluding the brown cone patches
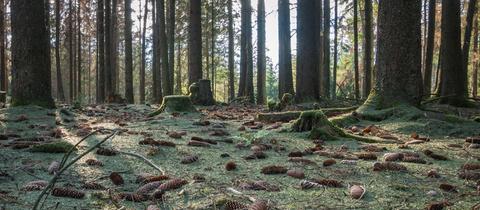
[385, 190]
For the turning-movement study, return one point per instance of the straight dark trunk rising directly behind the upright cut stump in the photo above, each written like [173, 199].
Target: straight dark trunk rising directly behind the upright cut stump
[195, 42]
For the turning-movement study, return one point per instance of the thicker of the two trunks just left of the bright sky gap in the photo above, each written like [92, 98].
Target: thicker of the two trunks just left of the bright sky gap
[246, 60]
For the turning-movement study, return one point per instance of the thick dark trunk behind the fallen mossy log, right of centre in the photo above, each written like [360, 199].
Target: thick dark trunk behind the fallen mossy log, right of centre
[307, 52]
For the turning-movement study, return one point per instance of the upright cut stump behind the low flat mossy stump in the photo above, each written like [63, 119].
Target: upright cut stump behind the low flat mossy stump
[201, 93]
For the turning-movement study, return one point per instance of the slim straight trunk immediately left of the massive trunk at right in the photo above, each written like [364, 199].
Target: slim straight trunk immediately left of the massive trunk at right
[368, 49]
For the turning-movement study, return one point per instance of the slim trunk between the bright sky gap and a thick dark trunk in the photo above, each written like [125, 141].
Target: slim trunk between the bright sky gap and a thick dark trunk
[285, 78]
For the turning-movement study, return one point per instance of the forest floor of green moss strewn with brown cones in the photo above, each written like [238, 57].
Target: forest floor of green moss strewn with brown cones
[235, 135]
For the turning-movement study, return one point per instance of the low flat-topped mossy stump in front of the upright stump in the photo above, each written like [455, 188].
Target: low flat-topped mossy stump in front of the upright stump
[175, 103]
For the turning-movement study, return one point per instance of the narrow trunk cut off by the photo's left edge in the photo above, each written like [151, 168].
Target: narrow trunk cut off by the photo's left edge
[3, 61]
